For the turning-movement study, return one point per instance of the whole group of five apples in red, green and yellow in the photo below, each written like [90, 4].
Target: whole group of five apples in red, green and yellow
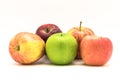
[79, 43]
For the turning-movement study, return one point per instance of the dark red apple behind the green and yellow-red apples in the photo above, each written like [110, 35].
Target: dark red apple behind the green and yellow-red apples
[46, 30]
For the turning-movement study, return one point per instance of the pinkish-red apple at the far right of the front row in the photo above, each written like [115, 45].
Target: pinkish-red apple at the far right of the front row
[96, 50]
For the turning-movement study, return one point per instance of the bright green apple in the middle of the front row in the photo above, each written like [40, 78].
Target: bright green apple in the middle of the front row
[61, 48]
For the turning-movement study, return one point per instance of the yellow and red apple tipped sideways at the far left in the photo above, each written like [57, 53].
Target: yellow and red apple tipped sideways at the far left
[26, 48]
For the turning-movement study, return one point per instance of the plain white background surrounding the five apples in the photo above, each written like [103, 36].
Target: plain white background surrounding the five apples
[26, 15]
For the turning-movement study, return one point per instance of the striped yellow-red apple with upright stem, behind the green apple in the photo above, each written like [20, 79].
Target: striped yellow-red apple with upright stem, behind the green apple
[79, 33]
